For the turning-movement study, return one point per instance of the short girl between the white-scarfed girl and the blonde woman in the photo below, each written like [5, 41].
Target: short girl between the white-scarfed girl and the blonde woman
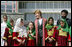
[31, 35]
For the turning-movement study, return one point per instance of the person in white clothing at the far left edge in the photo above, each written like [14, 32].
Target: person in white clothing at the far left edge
[3, 26]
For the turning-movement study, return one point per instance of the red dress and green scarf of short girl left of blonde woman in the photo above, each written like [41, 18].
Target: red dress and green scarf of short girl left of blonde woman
[30, 39]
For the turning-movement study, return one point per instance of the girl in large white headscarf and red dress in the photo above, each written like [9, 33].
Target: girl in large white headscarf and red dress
[19, 33]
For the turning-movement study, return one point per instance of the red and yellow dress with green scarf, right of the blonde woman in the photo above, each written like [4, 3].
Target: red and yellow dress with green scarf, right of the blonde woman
[51, 33]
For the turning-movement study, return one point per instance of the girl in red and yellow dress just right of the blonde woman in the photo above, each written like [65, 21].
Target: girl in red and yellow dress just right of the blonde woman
[51, 33]
